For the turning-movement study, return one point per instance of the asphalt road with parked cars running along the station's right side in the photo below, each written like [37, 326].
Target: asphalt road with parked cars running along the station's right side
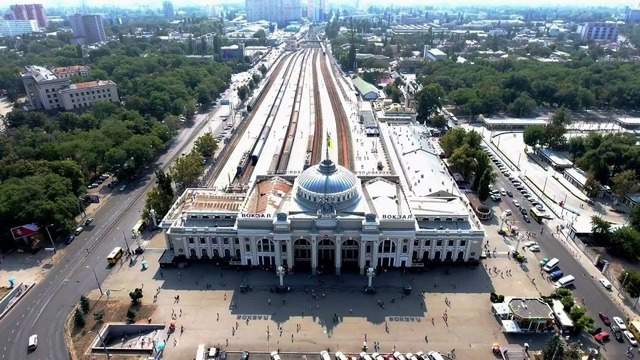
[596, 298]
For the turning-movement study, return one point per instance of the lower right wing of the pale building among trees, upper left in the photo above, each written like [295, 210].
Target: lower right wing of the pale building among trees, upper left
[86, 94]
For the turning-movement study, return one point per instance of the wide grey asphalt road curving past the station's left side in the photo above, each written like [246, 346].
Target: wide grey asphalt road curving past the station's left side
[44, 309]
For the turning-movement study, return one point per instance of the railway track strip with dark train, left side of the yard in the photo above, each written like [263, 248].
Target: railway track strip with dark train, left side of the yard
[248, 163]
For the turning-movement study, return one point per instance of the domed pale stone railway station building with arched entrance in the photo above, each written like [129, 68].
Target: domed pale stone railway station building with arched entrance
[322, 220]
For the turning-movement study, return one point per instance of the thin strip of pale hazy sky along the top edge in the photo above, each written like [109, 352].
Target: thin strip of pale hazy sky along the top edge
[157, 3]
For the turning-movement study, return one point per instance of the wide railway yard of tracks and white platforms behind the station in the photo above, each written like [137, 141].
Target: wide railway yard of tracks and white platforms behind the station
[300, 114]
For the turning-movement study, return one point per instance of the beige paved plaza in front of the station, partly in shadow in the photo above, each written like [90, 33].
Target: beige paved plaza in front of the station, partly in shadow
[331, 312]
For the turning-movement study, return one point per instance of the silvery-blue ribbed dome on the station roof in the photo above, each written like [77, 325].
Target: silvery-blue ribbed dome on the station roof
[327, 183]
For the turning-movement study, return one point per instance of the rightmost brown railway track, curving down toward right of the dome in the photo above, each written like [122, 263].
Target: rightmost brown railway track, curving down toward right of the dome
[345, 157]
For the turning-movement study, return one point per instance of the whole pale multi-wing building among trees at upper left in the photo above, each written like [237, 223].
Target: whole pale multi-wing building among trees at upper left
[47, 91]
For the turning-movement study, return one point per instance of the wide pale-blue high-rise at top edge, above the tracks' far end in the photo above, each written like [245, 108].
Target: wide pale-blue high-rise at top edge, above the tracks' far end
[278, 11]
